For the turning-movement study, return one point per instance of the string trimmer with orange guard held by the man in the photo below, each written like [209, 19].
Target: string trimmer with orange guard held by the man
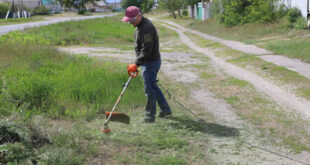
[118, 116]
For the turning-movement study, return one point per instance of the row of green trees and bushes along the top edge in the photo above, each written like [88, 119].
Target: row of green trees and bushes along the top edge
[229, 12]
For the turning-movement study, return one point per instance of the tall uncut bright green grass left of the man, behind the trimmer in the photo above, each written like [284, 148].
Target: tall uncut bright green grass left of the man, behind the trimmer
[63, 85]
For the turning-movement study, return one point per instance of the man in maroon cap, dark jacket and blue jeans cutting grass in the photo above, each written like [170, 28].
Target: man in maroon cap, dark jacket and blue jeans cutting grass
[148, 56]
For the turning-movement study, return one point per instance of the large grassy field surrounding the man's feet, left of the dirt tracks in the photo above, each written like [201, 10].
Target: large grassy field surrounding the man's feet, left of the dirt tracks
[52, 104]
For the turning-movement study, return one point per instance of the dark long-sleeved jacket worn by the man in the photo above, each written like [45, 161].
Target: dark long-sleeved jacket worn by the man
[147, 45]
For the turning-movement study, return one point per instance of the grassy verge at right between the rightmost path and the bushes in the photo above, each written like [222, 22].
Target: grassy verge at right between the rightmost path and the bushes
[276, 37]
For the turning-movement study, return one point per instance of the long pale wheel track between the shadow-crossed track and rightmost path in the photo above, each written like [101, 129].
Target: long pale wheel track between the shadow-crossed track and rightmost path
[282, 97]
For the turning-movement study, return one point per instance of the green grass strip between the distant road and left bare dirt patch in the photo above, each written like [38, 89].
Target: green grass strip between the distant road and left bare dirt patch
[109, 32]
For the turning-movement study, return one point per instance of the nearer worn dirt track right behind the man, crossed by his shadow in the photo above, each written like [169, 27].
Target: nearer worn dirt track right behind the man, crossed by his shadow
[246, 148]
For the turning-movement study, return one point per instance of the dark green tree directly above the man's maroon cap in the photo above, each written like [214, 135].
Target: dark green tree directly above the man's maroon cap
[144, 5]
